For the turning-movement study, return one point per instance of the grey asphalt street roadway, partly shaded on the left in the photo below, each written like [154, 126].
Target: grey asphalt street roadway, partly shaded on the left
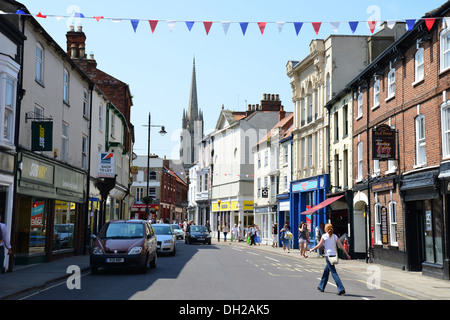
[221, 271]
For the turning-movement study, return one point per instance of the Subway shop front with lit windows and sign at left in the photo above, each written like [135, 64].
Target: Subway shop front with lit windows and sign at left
[50, 207]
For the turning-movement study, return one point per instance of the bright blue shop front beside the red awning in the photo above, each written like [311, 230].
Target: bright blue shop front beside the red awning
[304, 195]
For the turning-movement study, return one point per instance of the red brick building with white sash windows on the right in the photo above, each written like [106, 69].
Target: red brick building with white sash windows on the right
[404, 92]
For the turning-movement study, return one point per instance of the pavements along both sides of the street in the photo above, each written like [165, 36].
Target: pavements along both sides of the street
[407, 284]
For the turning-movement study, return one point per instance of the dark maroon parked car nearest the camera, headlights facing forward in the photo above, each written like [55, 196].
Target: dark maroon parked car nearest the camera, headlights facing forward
[124, 243]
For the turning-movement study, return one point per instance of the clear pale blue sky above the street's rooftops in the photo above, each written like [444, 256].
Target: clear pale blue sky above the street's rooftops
[232, 69]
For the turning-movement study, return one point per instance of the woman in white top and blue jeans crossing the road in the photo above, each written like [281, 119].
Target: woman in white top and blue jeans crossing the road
[331, 242]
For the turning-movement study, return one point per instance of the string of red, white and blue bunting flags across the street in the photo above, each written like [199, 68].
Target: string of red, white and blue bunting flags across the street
[410, 23]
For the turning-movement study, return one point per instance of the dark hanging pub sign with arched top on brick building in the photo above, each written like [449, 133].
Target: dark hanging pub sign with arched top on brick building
[383, 143]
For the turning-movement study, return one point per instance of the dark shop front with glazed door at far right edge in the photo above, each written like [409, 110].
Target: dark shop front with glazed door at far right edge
[424, 223]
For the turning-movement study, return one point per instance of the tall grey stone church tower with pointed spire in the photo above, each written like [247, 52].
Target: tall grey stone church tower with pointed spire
[192, 126]
